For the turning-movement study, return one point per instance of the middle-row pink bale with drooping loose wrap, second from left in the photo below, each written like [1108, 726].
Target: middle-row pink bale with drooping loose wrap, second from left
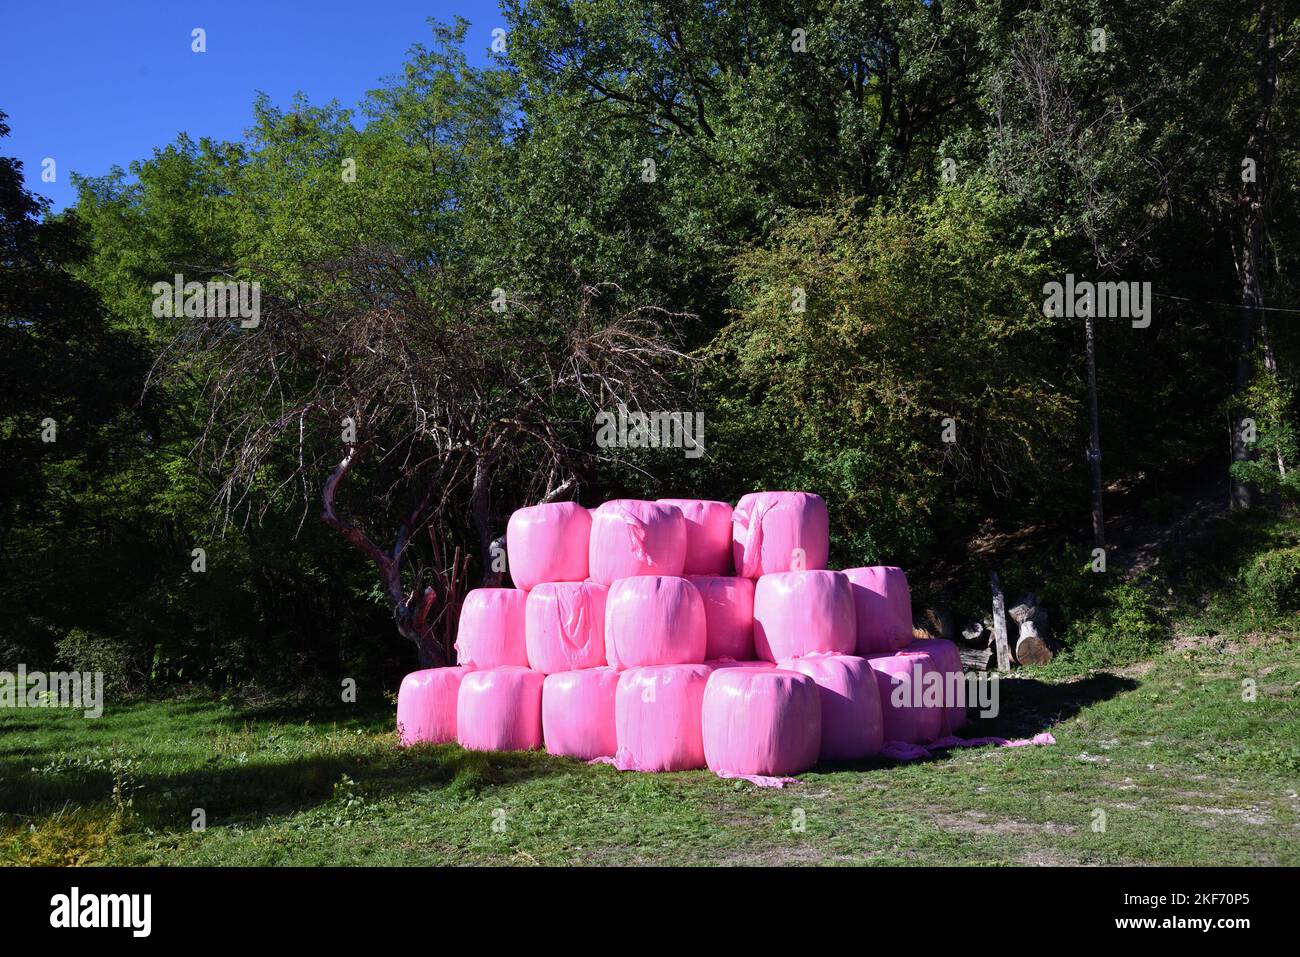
[565, 626]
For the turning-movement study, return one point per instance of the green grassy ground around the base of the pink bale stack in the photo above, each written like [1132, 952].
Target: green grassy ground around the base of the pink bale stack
[1184, 769]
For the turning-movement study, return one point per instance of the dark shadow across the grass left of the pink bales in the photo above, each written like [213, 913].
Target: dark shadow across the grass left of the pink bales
[236, 763]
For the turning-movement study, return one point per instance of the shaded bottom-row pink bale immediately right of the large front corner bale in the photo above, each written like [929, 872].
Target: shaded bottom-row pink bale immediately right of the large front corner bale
[852, 721]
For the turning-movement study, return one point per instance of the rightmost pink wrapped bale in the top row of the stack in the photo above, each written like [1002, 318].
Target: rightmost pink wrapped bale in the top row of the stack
[779, 532]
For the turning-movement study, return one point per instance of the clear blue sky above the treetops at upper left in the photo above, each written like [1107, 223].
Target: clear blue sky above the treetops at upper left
[93, 85]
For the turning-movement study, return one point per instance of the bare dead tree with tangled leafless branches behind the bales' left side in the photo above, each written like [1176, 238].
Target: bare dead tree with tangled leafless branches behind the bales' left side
[400, 393]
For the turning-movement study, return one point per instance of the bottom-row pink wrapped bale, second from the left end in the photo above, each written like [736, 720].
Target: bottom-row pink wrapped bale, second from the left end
[501, 711]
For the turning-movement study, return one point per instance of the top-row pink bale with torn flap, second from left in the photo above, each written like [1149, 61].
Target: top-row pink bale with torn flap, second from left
[632, 538]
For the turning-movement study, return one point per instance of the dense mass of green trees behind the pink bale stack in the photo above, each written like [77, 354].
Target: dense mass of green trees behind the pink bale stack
[826, 227]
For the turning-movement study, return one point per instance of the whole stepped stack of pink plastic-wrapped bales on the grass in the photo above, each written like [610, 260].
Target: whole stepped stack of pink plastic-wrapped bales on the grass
[684, 634]
